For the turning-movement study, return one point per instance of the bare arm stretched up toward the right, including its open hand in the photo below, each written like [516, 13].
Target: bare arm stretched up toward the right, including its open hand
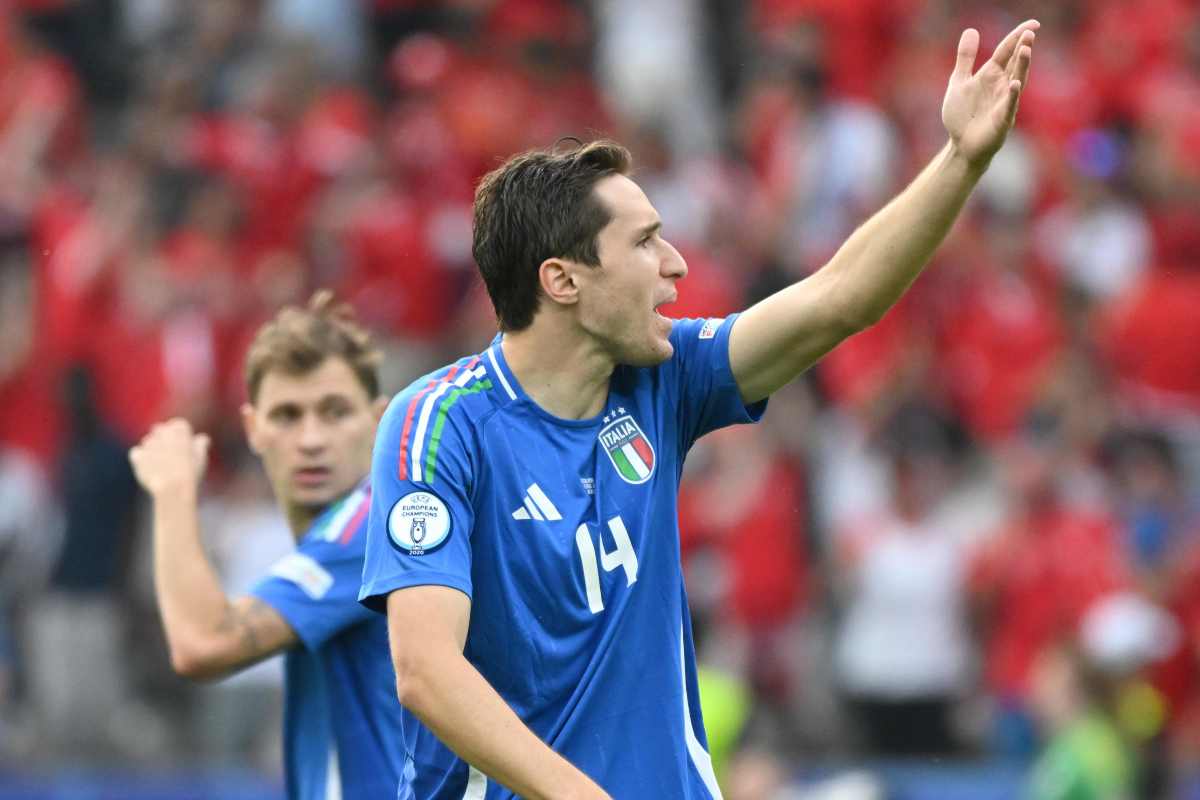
[784, 335]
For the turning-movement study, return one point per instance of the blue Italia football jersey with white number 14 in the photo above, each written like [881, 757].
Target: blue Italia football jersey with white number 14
[566, 537]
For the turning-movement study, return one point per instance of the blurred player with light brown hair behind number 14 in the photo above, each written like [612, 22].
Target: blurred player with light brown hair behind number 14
[315, 404]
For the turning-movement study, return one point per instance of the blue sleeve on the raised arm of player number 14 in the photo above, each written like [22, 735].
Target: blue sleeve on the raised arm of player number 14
[709, 395]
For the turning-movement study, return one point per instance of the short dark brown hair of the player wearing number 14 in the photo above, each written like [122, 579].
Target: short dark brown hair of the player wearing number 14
[541, 206]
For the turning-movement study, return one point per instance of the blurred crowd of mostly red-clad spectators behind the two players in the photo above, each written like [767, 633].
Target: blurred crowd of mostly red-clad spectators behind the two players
[969, 540]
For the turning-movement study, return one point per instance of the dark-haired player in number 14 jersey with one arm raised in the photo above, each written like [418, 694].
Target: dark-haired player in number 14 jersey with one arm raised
[524, 537]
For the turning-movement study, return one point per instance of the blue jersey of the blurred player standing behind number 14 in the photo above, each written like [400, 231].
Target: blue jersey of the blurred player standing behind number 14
[341, 718]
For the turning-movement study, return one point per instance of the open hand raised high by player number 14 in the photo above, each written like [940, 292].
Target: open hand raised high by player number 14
[980, 107]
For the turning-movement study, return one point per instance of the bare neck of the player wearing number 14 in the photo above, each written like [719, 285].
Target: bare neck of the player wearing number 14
[565, 375]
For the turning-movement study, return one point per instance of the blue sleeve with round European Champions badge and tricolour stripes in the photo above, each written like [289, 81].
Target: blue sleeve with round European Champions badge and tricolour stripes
[422, 516]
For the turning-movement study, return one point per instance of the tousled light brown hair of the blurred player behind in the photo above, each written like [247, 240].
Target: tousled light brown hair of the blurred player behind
[298, 341]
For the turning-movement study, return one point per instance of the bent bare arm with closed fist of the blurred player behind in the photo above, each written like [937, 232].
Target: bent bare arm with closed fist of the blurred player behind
[209, 635]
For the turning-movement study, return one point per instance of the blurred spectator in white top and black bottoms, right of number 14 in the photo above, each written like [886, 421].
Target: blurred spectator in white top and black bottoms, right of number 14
[903, 580]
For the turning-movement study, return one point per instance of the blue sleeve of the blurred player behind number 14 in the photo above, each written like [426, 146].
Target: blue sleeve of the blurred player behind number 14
[316, 588]
